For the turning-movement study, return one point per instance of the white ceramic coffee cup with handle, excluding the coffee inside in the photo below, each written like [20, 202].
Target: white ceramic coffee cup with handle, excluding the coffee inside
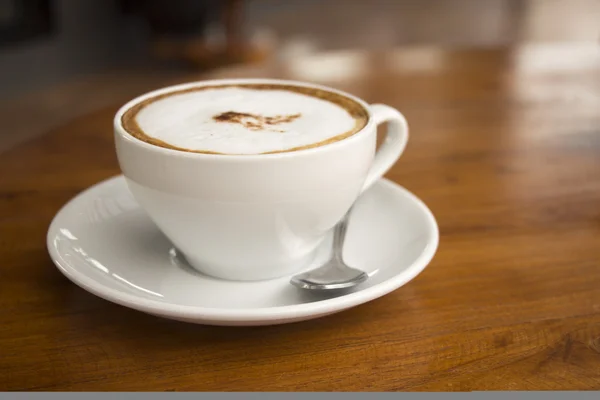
[255, 217]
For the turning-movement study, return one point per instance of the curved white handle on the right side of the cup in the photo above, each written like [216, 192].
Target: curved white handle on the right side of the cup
[392, 146]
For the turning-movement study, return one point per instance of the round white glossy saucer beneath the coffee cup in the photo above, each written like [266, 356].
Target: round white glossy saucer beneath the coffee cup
[105, 243]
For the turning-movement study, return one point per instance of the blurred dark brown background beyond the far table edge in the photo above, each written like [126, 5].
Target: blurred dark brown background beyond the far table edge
[64, 58]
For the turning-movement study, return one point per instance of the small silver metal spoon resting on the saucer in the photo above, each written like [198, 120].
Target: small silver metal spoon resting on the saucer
[334, 274]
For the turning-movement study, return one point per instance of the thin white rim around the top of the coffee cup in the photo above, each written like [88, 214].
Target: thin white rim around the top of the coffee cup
[124, 135]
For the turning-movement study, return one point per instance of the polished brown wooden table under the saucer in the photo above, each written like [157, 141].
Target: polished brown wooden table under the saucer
[505, 149]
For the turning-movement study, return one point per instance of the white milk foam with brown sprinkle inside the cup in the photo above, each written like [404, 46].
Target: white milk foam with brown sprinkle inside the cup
[189, 120]
